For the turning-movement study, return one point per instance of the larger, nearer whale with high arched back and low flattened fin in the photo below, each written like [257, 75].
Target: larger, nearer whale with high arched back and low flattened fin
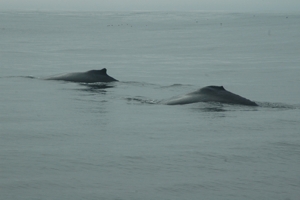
[210, 94]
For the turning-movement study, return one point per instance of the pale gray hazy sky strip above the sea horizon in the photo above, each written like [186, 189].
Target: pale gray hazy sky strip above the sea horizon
[160, 5]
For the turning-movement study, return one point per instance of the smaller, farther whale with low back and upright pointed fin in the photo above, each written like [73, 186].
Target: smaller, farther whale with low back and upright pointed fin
[91, 76]
